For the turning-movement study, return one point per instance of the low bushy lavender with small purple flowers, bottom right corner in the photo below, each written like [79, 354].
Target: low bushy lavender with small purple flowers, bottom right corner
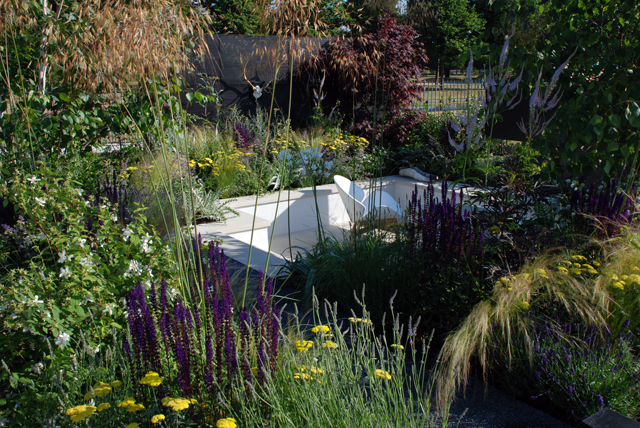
[590, 371]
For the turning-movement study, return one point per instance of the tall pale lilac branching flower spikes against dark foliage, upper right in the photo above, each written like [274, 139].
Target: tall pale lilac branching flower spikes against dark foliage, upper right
[502, 93]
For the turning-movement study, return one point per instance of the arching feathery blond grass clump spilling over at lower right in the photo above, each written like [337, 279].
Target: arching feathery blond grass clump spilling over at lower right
[501, 328]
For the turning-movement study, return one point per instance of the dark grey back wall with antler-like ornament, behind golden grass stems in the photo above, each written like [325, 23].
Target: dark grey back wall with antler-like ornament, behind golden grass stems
[234, 59]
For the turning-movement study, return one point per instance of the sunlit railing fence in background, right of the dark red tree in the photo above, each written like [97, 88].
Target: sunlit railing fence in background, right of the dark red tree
[448, 94]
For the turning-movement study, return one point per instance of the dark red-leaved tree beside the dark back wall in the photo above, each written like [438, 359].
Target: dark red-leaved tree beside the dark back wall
[377, 75]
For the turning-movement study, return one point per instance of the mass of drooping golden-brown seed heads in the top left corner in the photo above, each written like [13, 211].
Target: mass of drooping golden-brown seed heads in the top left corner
[97, 45]
